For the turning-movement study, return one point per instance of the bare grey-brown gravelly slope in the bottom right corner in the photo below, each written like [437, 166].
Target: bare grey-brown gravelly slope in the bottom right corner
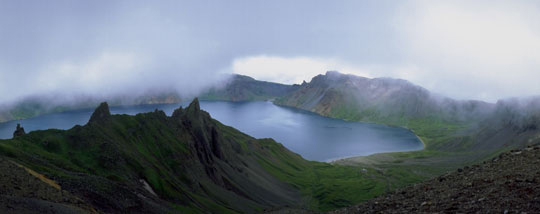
[509, 183]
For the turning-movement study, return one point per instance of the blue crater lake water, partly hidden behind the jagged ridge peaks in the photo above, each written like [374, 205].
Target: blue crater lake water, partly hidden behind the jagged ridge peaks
[308, 134]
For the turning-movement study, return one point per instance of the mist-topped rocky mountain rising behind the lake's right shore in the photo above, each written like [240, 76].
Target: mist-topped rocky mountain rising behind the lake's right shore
[382, 100]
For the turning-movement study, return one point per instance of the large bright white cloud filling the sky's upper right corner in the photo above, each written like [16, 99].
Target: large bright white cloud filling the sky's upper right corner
[473, 49]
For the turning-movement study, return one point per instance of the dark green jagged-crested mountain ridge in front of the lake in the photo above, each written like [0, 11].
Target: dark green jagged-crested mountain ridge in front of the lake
[186, 162]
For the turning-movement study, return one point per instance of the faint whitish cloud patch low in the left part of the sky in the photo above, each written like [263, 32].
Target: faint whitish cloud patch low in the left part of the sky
[107, 73]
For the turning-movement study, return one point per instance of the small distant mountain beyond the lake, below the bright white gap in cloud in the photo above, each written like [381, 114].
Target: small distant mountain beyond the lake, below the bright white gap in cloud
[244, 88]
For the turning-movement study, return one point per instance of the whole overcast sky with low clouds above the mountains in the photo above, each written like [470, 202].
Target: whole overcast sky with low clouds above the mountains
[463, 49]
